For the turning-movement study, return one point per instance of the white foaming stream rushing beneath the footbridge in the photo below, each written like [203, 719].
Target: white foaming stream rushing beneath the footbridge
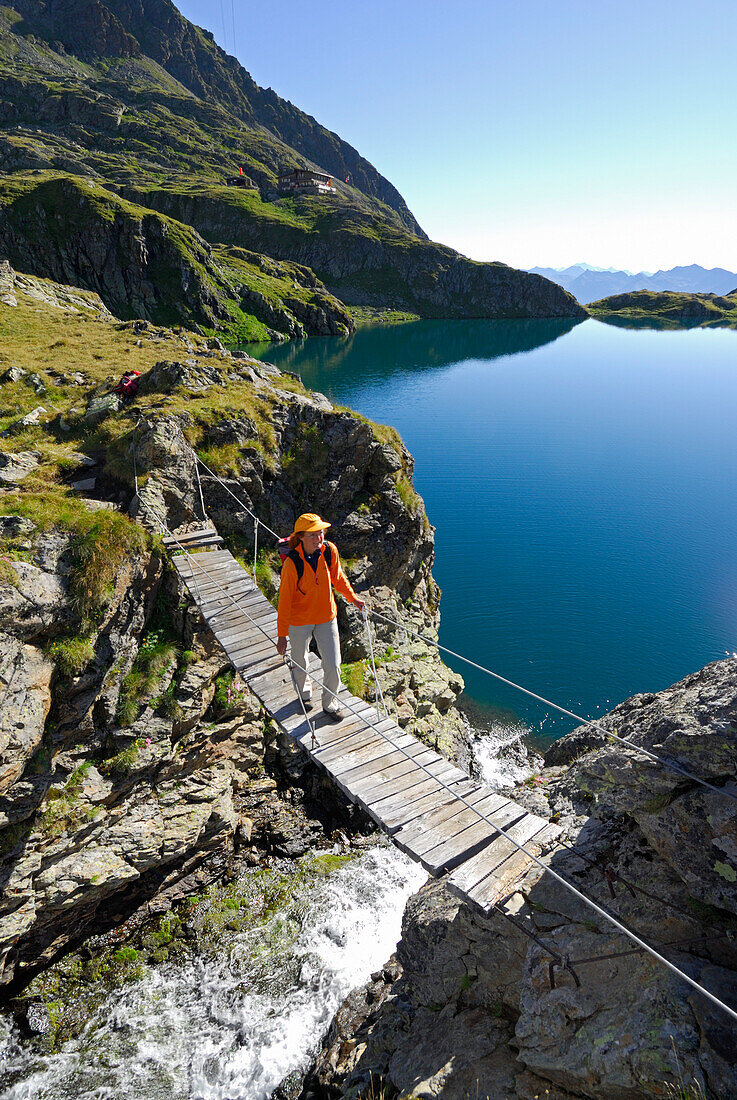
[234, 1025]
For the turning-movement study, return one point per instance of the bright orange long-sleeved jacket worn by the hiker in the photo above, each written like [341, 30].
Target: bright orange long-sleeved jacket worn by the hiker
[312, 601]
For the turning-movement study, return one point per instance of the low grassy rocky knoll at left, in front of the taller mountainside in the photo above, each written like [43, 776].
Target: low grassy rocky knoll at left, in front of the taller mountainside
[145, 265]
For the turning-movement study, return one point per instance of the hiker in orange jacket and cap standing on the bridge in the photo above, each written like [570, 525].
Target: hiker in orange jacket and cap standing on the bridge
[307, 608]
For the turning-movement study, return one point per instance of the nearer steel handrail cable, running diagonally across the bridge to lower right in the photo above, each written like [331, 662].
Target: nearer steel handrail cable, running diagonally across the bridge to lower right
[568, 886]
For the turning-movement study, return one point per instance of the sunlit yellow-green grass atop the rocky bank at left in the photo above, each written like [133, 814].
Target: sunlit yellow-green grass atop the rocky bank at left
[56, 345]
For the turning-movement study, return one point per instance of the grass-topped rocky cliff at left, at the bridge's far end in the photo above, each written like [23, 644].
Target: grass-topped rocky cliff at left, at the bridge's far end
[134, 769]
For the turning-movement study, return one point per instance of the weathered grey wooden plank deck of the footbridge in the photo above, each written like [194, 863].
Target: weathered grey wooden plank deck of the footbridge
[413, 794]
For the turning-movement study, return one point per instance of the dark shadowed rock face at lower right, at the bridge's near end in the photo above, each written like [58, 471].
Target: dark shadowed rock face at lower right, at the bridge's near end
[468, 1004]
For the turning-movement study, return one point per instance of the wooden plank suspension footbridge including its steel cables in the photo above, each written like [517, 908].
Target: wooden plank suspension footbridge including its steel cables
[454, 826]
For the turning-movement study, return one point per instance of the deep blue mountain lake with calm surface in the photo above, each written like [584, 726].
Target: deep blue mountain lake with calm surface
[584, 485]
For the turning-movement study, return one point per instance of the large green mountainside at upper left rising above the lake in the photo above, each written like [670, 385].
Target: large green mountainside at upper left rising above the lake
[135, 98]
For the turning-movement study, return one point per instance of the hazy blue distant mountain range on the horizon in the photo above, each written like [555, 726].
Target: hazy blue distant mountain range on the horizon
[590, 284]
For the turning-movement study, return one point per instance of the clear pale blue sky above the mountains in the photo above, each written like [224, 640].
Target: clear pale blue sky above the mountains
[530, 131]
